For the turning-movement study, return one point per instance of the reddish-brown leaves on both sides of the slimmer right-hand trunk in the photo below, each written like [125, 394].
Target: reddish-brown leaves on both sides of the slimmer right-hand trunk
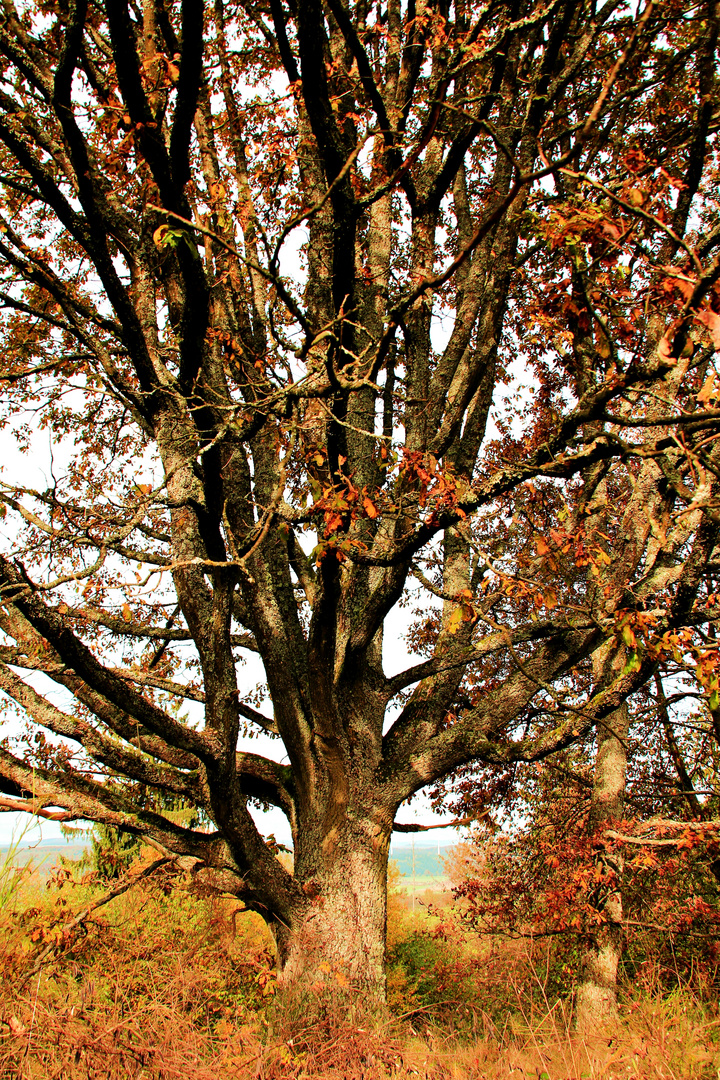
[547, 876]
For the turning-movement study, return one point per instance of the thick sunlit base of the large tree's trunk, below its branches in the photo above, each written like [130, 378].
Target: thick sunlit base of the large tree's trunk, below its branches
[336, 942]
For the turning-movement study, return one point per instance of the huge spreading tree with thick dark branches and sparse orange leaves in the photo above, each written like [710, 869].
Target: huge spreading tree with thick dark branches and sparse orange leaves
[499, 313]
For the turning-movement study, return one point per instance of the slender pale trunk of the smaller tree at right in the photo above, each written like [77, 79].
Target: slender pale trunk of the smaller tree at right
[597, 995]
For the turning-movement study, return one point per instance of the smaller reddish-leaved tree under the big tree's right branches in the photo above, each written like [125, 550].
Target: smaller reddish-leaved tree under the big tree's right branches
[640, 897]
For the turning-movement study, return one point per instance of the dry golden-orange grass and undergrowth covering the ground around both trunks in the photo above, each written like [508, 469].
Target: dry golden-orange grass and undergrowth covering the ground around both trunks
[162, 983]
